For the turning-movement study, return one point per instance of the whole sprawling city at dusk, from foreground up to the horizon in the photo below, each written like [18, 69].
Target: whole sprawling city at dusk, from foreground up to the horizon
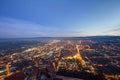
[86, 58]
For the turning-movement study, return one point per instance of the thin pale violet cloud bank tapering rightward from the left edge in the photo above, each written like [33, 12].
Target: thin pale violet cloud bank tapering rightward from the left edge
[10, 27]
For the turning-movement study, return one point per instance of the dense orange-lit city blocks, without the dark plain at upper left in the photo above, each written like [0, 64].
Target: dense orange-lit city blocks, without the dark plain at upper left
[91, 56]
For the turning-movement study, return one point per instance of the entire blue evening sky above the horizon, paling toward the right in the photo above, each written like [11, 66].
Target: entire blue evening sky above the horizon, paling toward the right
[59, 18]
